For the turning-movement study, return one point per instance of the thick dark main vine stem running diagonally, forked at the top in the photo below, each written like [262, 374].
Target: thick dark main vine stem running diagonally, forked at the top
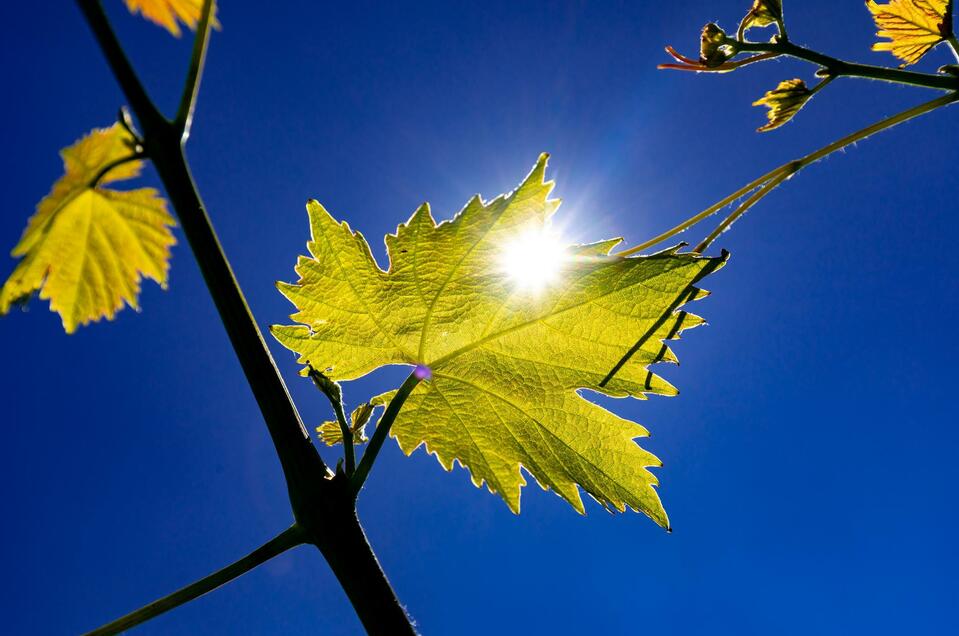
[323, 504]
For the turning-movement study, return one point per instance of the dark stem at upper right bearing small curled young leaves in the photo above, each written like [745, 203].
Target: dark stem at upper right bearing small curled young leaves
[839, 68]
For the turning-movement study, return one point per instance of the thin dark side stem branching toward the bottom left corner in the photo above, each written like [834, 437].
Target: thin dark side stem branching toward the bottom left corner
[286, 540]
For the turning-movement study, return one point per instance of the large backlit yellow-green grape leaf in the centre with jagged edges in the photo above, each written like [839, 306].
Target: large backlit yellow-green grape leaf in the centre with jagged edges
[507, 364]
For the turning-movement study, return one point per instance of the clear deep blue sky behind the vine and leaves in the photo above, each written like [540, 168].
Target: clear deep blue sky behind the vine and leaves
[810, 462]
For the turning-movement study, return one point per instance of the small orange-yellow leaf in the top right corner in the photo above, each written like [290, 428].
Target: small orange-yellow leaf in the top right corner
[912, 26]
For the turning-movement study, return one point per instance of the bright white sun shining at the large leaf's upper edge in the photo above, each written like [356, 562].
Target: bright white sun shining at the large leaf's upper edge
[534, 259]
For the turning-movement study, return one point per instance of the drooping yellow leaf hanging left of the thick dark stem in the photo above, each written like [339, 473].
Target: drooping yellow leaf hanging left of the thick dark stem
[86, 247]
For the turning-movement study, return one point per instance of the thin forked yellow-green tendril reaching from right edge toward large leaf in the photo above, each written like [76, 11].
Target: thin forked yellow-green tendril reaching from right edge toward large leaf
[788, 169]
